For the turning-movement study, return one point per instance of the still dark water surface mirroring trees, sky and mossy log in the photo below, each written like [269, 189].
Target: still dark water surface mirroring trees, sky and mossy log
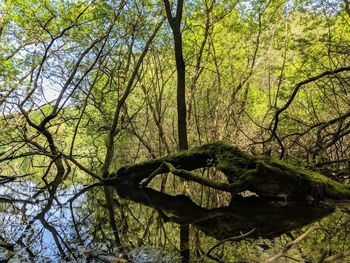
[143, 225]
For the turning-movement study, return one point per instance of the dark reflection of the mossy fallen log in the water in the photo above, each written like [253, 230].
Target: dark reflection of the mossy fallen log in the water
[269, 219]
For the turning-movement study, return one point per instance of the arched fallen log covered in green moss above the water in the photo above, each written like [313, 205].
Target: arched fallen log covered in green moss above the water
[267, 177]
